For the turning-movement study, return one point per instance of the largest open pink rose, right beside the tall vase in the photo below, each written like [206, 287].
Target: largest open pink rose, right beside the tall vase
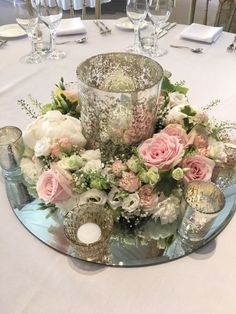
[162, 151]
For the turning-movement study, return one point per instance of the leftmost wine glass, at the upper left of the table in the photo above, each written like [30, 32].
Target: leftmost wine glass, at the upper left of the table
[27, 18]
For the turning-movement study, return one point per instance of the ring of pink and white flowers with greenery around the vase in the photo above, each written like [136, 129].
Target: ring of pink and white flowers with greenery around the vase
[146, 181]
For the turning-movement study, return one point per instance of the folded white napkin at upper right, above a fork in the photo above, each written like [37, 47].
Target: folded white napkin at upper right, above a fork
[202, 33]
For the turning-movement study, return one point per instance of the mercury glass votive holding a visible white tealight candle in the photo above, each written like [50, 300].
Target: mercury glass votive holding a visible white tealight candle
[88, 227]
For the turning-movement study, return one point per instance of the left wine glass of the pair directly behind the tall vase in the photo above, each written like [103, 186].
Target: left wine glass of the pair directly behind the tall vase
[136, 11]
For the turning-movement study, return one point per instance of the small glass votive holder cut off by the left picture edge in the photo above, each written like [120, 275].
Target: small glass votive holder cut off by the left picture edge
[11, 150]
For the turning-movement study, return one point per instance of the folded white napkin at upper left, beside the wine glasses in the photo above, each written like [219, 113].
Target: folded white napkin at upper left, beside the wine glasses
[71, 26]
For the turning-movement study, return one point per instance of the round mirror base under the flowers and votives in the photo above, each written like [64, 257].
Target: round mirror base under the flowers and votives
[123, 248]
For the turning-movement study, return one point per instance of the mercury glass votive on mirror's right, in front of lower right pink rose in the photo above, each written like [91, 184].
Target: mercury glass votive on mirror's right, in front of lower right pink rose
[204, 202]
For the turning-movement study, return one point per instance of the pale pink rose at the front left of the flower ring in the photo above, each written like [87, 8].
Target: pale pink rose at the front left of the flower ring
[54, 186]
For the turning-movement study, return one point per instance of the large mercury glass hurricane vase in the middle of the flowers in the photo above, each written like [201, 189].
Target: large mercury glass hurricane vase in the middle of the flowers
[119, 98]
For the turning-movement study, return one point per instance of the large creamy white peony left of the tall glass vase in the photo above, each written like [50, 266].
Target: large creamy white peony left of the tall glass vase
[54, 126]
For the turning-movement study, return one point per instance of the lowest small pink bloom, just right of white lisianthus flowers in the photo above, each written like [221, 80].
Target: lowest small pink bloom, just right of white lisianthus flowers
[148, 199]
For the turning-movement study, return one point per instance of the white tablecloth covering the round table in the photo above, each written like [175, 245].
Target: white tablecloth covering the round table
[36, 279]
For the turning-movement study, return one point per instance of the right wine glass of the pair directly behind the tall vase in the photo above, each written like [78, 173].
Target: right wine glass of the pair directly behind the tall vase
[159, 12]
